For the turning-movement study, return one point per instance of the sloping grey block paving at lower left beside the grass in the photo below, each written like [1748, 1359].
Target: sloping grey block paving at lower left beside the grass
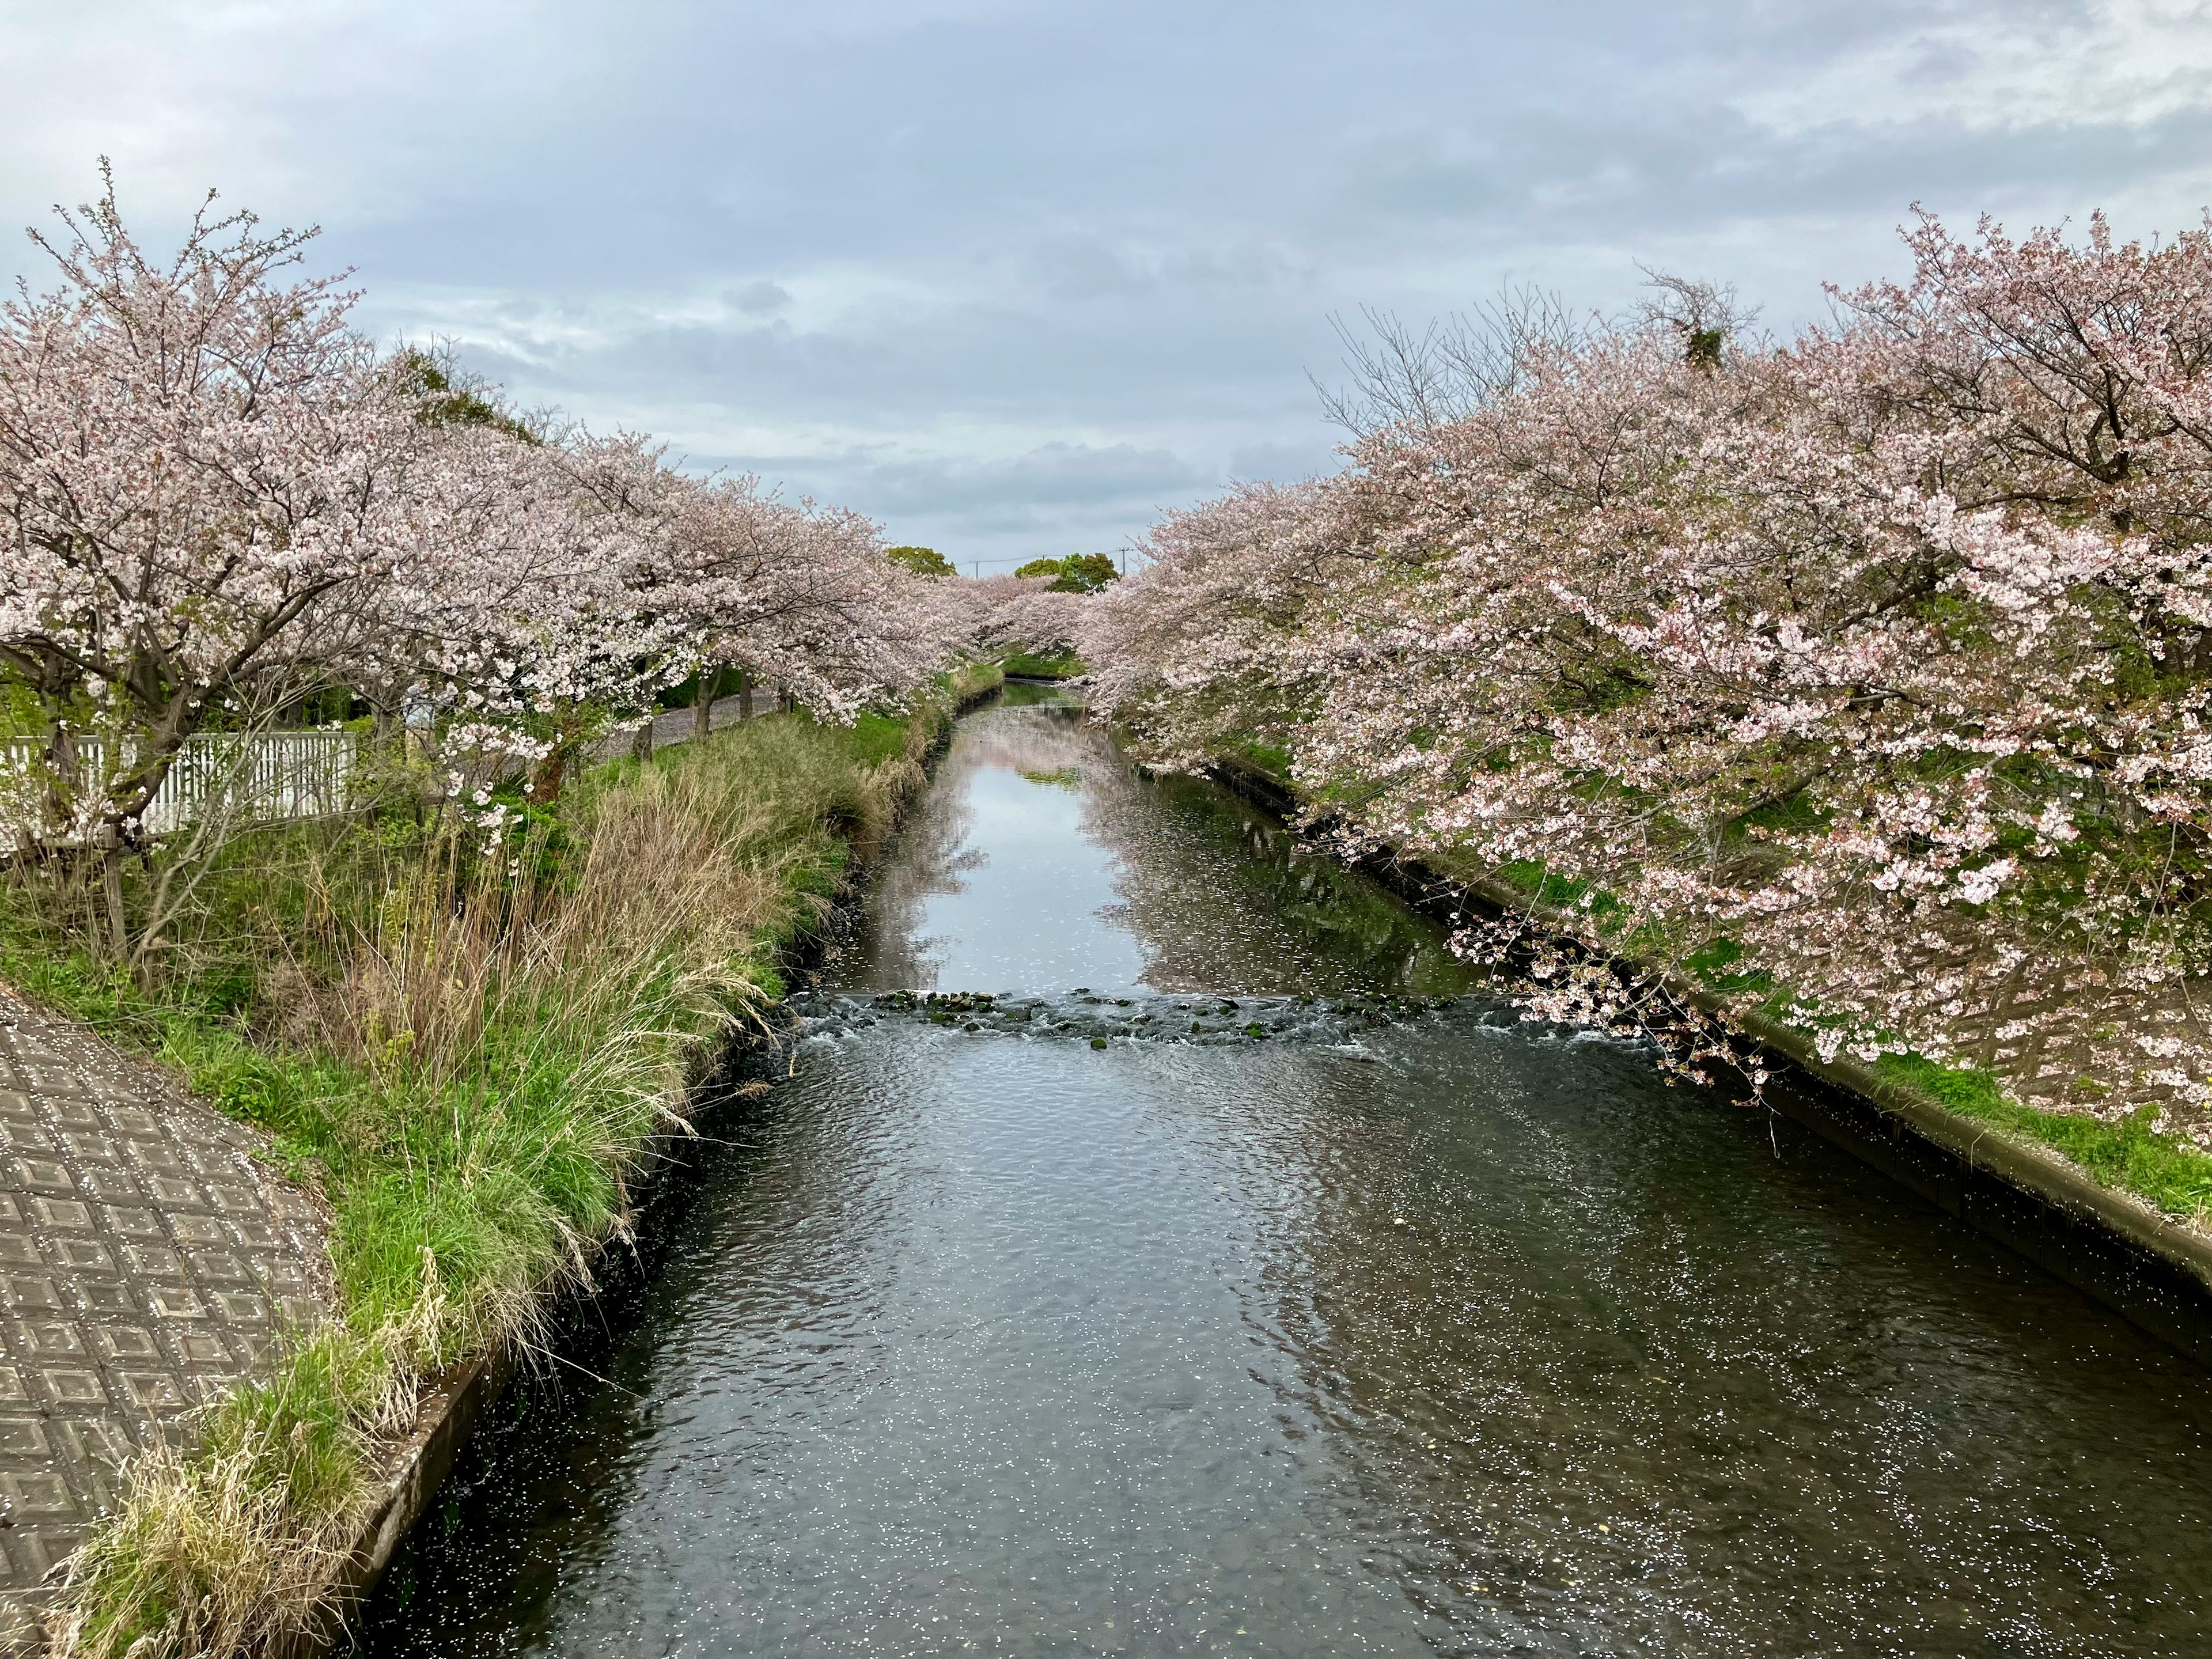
[147, 1262]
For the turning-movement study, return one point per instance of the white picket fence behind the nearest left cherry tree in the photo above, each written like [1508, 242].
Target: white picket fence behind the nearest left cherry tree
[255, 778]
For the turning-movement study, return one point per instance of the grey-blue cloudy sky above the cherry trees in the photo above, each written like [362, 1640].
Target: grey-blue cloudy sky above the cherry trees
[1014, 275]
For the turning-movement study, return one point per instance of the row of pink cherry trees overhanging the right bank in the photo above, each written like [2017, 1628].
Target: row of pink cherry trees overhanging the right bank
[1864, 674]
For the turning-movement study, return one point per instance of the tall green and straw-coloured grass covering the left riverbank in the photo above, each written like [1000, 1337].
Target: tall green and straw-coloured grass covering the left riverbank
[470, 1054]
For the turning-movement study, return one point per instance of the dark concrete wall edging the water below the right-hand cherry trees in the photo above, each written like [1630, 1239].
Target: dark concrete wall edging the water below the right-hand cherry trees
[2109, 1244]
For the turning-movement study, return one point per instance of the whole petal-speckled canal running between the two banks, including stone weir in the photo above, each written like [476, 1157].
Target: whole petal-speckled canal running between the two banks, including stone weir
[1198, 1295]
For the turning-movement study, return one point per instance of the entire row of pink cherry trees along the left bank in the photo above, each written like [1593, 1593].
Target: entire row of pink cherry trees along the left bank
[218, 499]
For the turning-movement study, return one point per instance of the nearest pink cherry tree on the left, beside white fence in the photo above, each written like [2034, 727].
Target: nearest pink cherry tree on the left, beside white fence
[196, 468]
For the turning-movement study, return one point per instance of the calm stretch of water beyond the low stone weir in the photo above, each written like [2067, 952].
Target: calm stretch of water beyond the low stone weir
[1169, 886]
